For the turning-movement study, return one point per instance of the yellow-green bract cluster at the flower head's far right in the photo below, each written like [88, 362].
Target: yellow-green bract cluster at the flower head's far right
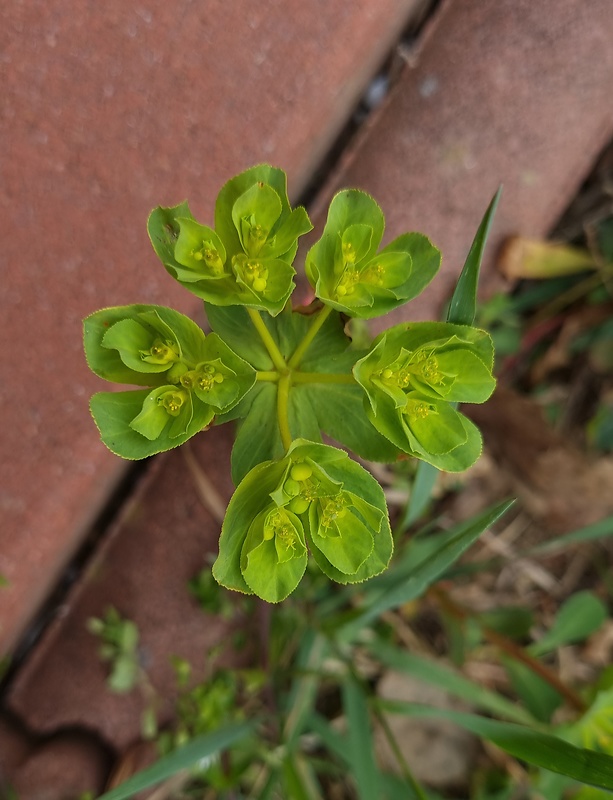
[413, 376]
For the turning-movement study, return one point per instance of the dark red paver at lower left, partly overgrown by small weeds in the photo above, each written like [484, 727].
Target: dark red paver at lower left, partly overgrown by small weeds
[162, 540]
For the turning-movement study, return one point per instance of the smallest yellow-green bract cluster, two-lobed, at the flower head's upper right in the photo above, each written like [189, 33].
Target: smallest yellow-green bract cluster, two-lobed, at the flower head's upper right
[349, 273]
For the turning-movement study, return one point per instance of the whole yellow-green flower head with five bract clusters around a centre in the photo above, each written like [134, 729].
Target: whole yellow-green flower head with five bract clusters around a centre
[288, 376]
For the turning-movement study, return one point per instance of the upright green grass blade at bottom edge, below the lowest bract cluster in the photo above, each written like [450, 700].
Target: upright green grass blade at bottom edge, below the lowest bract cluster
[361, 745]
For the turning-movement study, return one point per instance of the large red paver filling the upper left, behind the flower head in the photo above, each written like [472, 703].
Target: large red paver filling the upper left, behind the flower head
[105, 114]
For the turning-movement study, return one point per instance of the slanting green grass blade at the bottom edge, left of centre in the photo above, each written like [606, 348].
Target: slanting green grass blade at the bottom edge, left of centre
[202, 747]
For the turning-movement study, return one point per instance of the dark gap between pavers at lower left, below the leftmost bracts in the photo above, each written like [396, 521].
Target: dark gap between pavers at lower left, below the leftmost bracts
[53, 605]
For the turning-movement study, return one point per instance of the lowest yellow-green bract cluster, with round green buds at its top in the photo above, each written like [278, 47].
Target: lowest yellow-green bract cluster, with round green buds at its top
[314, 496]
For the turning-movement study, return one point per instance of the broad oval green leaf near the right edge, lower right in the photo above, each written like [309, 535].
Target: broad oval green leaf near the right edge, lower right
[579, 616]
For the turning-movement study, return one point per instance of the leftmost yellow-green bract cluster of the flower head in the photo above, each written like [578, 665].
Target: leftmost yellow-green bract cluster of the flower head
[193, 377]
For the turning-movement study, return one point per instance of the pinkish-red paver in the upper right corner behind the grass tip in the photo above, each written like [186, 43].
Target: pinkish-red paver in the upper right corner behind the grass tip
[505, 91]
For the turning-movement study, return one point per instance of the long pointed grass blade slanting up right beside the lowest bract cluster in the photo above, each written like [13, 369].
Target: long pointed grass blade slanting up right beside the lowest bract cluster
[401, 587]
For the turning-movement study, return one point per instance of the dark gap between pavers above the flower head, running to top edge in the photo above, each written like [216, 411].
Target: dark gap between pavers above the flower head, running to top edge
[387, 74]
